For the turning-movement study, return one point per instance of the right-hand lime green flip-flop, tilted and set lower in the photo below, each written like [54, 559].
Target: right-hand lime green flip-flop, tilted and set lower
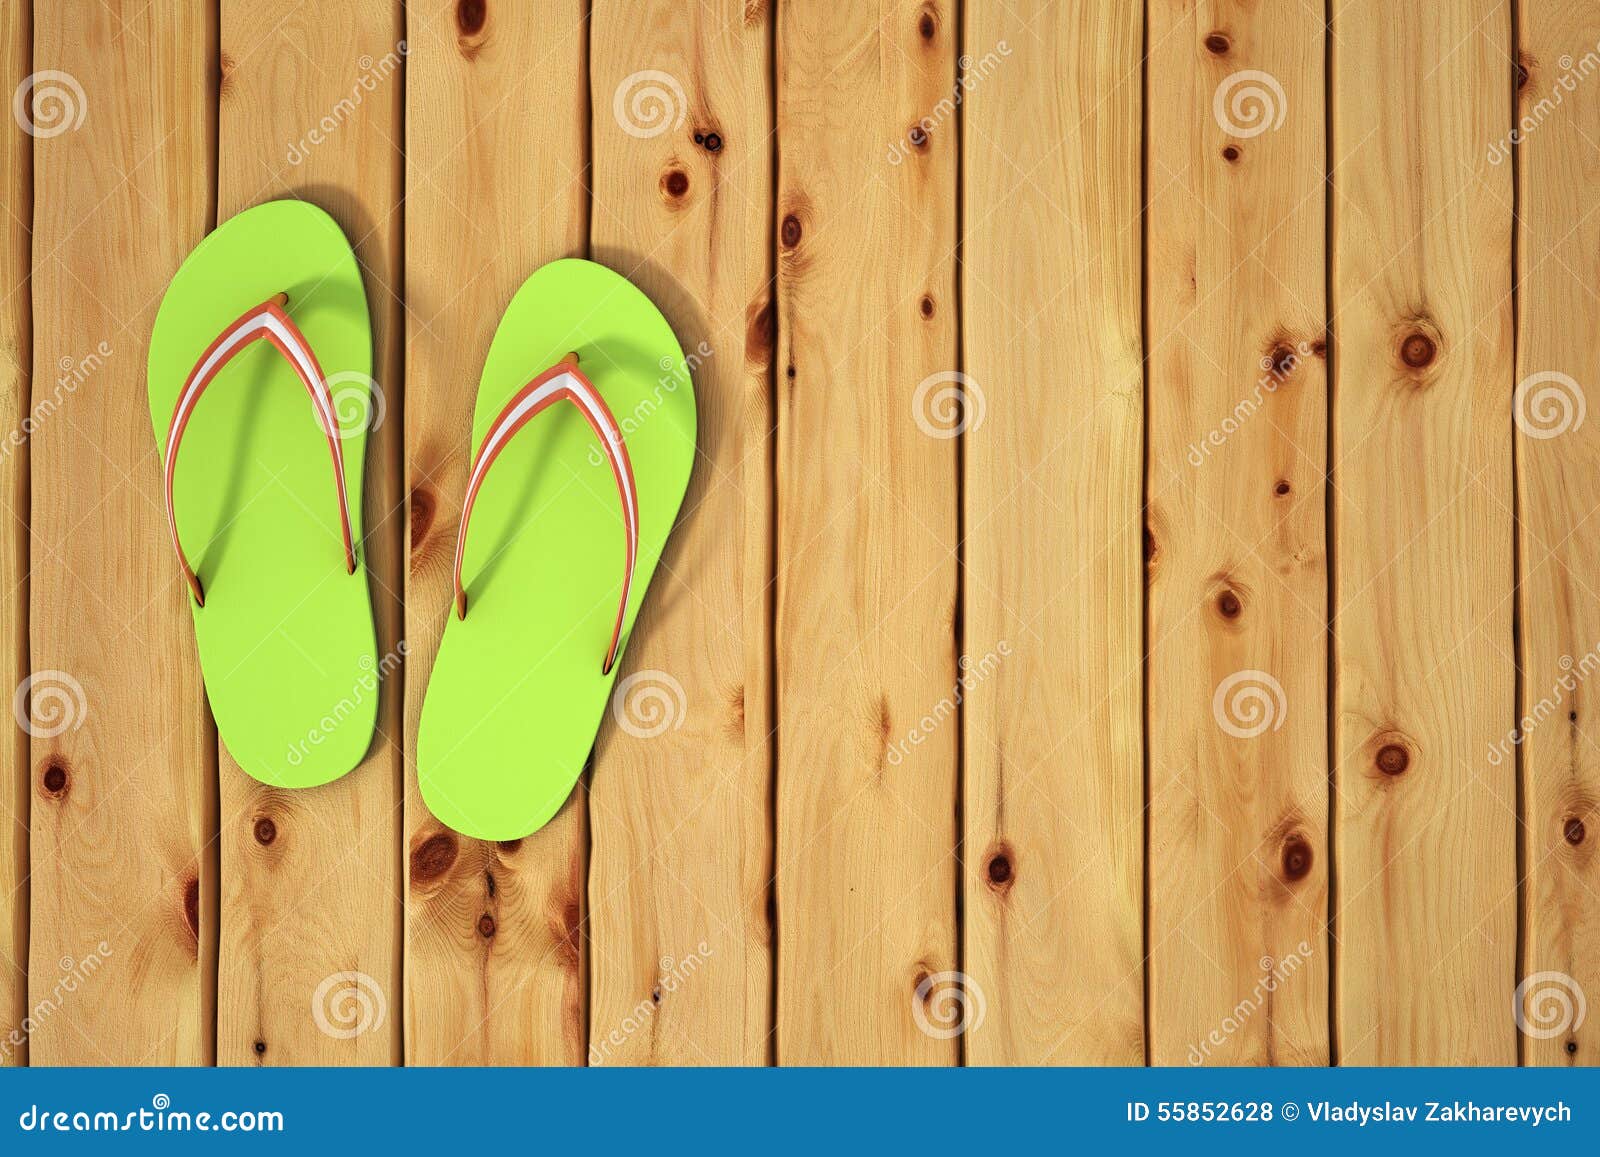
[566, 534]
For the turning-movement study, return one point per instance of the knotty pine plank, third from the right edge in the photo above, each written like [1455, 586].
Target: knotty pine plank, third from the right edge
[1239, 578]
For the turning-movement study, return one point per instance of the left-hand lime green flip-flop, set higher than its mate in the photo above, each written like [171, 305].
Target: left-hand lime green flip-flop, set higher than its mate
[268, 321]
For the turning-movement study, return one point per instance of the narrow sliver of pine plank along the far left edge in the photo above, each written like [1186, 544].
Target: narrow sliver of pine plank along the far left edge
[17, 215]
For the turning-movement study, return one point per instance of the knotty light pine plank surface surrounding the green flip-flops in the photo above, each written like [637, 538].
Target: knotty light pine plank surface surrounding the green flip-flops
[1134, 603]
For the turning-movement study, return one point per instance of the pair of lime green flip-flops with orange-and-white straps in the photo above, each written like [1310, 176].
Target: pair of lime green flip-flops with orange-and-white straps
[260, 374]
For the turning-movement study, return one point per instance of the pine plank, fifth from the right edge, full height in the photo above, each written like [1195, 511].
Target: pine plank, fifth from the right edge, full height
[866, 535]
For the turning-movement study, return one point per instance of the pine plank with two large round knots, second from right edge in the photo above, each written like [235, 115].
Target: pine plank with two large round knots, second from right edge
[1426, 860]
